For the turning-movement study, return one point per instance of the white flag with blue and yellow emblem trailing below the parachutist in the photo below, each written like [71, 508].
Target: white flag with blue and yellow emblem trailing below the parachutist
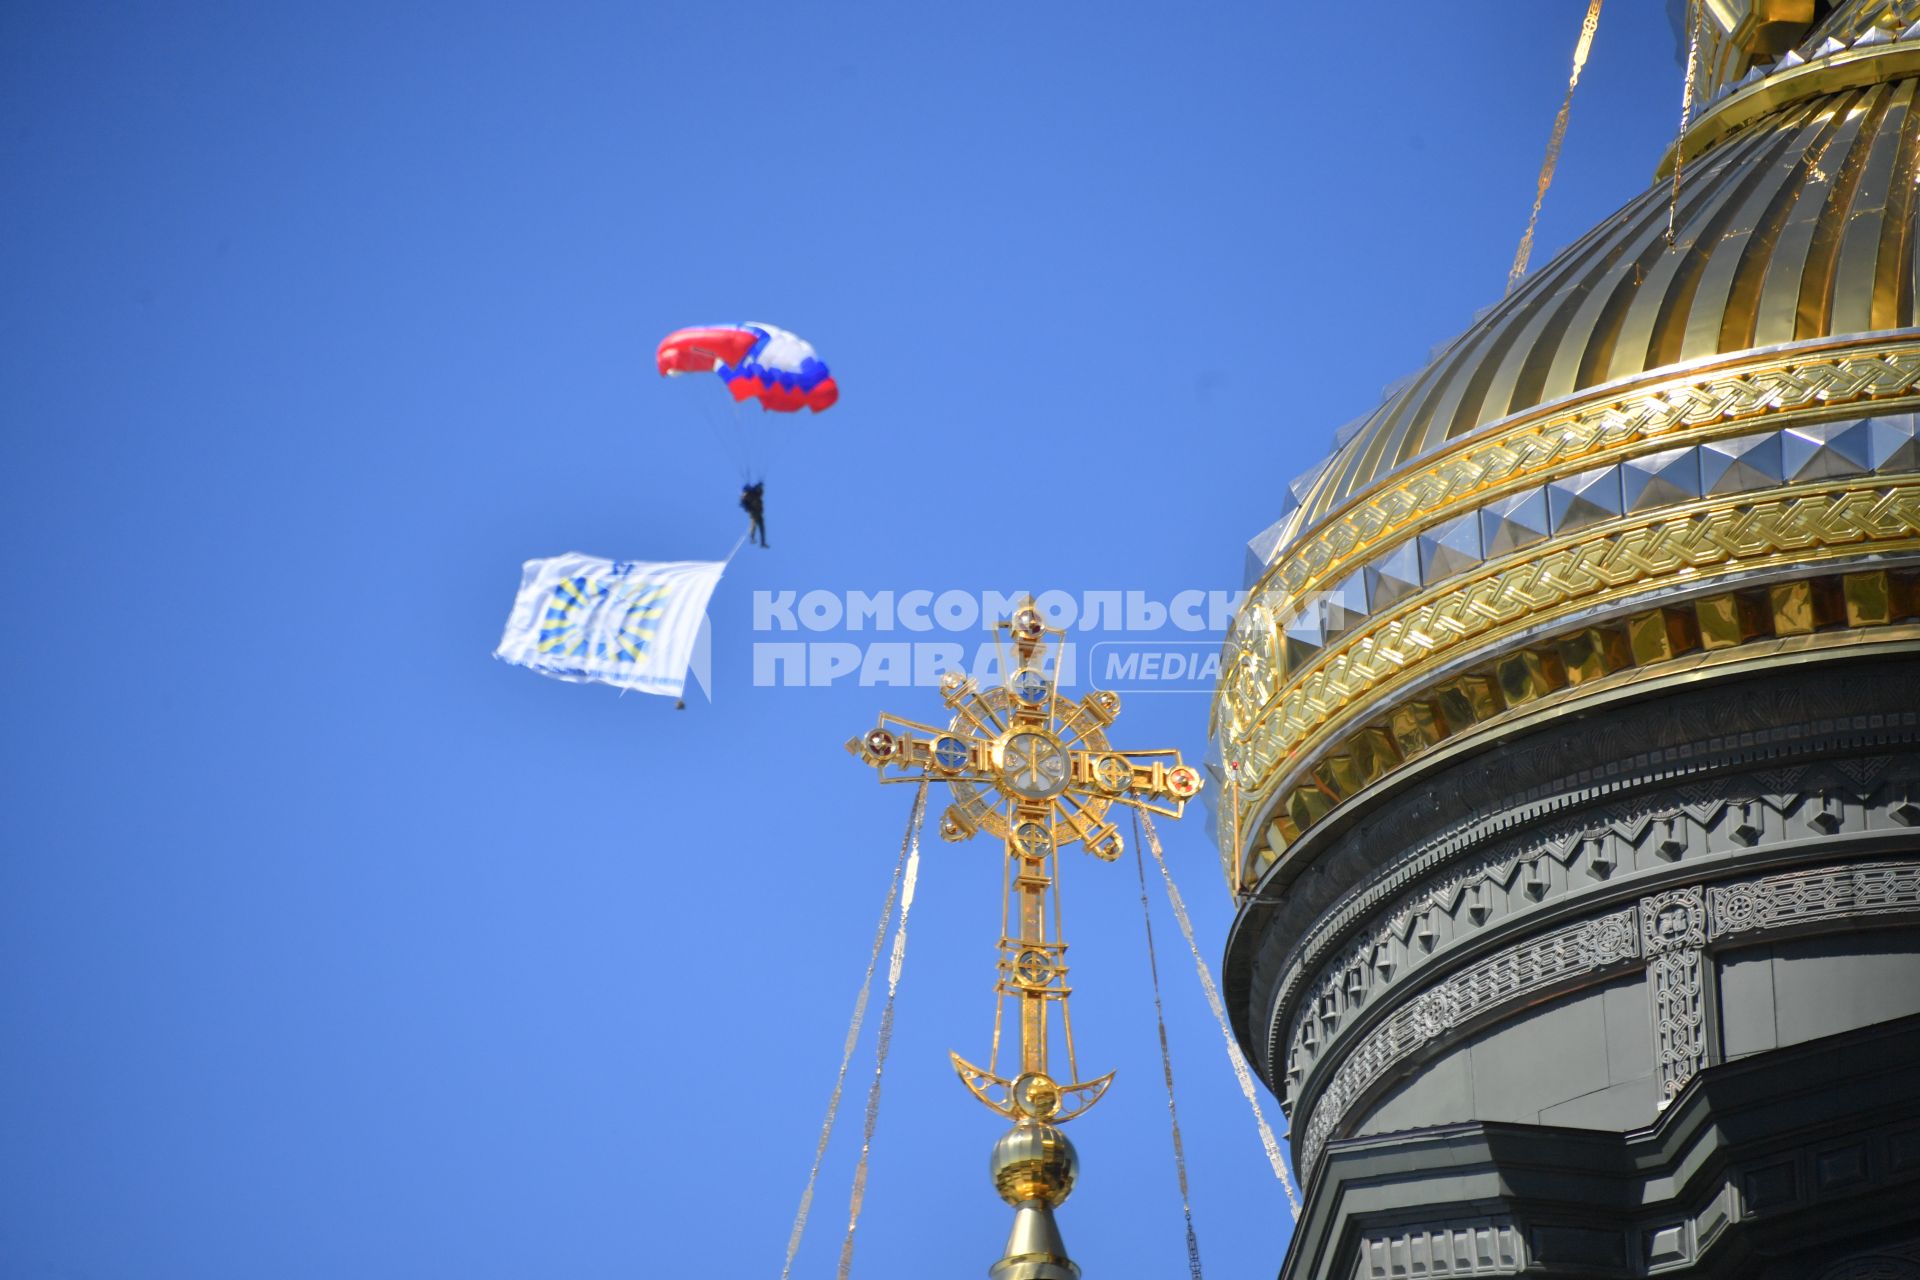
[617, 623]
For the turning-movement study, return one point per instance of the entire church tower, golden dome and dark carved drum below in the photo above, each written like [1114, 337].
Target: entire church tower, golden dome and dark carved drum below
[1570, 728]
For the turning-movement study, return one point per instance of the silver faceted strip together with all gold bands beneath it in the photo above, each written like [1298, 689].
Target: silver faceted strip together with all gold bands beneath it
[1548, 590]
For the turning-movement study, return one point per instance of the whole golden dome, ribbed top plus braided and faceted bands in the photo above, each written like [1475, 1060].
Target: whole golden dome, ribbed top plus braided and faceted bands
[1644, 463]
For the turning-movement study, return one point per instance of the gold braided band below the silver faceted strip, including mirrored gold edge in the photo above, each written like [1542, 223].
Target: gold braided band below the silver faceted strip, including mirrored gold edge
[1360, 711]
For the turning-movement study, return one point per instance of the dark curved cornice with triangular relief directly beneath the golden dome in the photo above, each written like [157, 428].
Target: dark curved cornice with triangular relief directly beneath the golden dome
[1491, 824]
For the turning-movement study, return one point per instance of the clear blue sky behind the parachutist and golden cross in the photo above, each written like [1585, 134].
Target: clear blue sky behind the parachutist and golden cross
[335, 947]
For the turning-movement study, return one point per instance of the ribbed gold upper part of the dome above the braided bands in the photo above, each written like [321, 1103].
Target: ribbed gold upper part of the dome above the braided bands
[1798, 227]
